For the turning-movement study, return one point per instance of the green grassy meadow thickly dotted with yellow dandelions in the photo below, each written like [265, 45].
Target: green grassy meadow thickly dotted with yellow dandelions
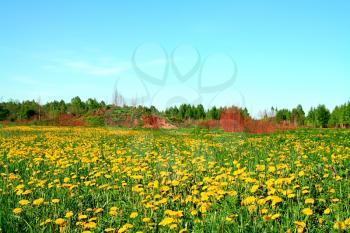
[70, 179]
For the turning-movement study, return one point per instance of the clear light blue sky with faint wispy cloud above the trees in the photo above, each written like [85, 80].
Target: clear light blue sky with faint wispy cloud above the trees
[255, 54]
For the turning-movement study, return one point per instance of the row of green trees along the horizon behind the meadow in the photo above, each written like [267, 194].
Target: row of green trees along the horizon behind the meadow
[318, 116]
